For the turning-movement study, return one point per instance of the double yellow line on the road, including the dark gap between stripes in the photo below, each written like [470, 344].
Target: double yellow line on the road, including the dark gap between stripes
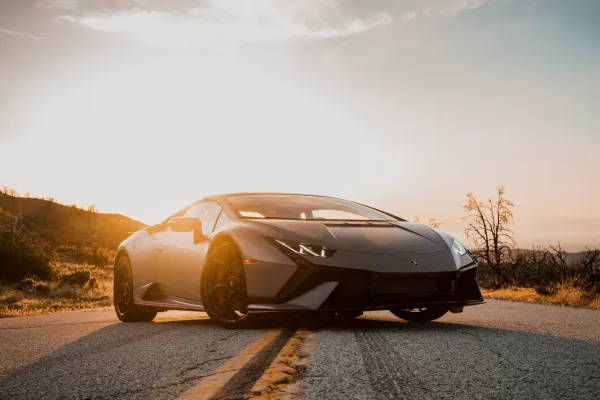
[275, 361]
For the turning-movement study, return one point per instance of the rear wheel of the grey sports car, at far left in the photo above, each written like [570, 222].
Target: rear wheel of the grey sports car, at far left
[125, 308]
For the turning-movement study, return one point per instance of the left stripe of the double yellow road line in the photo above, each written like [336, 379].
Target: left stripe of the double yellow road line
[212, 383]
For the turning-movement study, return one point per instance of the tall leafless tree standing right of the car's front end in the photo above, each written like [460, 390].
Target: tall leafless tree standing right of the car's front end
[489, 223]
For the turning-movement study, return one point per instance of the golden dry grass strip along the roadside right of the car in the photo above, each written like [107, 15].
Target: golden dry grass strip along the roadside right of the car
[564, 295]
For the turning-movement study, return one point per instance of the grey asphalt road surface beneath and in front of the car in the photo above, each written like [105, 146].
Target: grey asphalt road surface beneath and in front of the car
[494, 351]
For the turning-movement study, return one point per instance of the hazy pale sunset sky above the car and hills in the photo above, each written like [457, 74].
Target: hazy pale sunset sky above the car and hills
[144, 106]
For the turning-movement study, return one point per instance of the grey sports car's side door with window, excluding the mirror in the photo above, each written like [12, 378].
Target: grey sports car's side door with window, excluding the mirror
[186, 258]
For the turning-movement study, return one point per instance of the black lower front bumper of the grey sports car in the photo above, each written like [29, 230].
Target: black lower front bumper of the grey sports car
[318, 287]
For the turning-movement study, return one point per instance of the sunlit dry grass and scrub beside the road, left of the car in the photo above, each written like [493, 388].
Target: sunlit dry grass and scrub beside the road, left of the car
[56, 296]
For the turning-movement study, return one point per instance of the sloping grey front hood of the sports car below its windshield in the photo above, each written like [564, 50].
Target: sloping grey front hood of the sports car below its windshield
[373, 237]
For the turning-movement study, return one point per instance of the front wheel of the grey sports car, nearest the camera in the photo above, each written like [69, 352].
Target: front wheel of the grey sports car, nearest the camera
[223, 286]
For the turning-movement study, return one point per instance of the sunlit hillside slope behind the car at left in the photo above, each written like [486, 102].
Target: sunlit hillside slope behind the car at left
[68, 224]
